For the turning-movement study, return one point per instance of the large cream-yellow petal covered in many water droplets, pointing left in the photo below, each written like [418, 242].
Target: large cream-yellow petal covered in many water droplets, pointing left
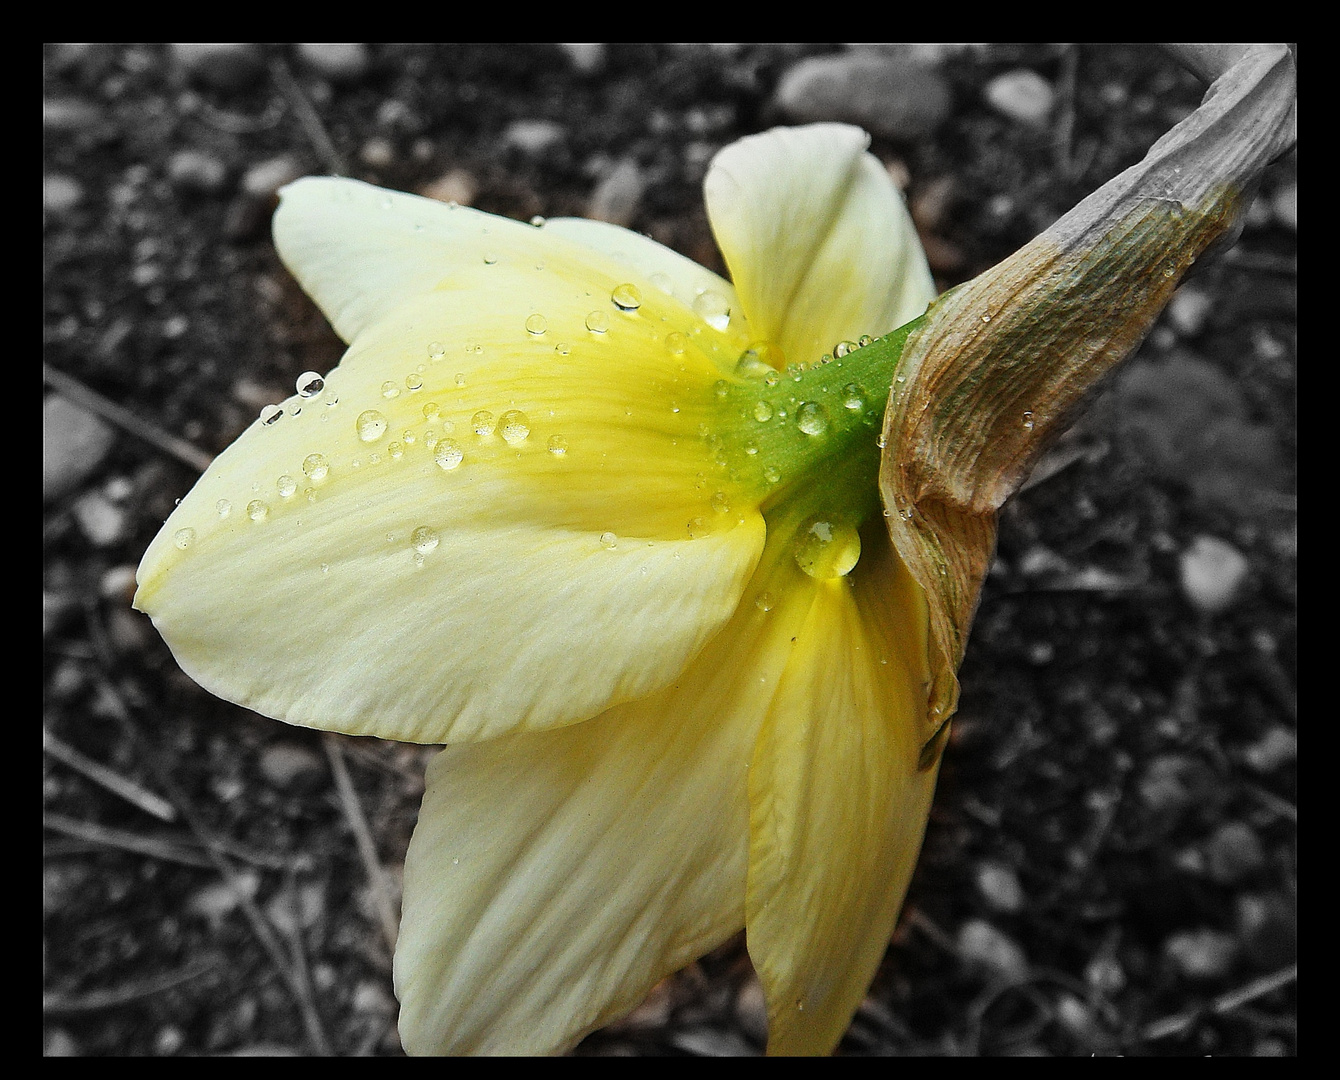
[553, 585]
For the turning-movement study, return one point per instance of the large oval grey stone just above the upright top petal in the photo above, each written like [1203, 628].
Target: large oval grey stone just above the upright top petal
[900, 97]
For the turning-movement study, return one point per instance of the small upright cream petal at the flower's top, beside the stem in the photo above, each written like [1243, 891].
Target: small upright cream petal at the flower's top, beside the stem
[818, 239]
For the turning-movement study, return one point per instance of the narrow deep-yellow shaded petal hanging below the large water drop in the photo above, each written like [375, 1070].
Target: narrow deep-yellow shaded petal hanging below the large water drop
[838, 803]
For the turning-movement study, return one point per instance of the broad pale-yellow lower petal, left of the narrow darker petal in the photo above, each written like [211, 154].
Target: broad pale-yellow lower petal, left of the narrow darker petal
[555, 878]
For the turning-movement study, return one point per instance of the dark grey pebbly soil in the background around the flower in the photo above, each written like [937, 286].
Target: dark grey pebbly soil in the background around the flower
[1112, 864]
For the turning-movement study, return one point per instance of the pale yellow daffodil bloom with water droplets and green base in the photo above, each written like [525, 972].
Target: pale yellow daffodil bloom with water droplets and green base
[608, 526]
